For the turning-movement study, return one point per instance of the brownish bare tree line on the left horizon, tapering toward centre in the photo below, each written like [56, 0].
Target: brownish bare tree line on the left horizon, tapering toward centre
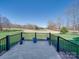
[5, 24]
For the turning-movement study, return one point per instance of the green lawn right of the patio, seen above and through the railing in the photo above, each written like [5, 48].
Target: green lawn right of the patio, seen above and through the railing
[66, 44]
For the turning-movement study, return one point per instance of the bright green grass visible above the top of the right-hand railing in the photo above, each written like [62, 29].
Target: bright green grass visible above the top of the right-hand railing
[73, 37]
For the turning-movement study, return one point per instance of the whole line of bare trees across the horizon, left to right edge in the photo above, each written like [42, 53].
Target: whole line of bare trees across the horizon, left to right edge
[72, 15]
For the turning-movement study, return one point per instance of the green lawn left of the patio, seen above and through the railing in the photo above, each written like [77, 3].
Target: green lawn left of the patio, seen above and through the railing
[13, 39]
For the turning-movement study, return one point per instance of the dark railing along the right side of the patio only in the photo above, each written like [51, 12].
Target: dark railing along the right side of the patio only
[66, 47]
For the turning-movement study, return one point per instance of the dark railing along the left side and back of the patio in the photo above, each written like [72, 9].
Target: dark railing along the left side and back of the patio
[10, 40]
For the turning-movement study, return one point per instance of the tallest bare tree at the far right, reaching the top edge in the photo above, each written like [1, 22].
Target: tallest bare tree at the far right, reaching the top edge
[73, 13]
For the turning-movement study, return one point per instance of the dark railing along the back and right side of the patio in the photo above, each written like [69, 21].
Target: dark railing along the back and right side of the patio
[70, 49]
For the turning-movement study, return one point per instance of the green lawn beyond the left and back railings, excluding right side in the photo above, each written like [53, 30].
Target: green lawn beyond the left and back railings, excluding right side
[15, 38]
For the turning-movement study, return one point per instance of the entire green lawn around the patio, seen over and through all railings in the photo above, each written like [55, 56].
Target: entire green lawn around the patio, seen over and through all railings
[28, 36]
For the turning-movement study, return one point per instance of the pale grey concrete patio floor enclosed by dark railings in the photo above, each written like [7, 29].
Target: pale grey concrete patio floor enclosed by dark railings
[29, 50]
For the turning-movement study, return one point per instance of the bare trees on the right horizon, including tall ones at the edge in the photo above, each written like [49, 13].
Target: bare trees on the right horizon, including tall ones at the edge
[72, 18]
